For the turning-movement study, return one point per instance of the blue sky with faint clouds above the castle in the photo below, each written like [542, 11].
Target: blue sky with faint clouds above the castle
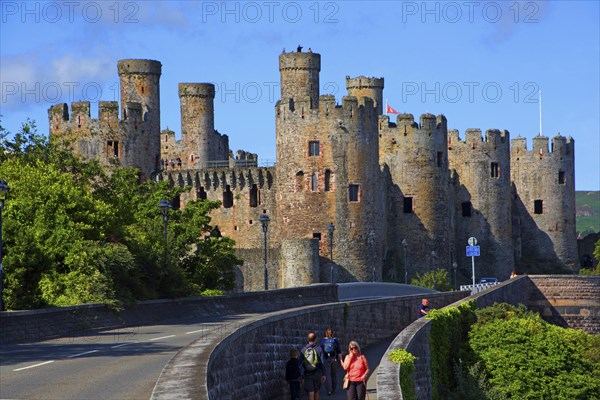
[480, 63]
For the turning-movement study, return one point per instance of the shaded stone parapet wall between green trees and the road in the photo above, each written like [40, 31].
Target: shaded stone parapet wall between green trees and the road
[89, 319]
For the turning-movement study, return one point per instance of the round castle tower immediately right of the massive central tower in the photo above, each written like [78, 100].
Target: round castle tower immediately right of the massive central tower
[414, 158]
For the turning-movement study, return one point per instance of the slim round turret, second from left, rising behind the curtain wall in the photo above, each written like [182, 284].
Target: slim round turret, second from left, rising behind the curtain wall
[197, 122]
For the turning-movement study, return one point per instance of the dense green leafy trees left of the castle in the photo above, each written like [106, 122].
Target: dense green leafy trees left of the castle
[74, 233]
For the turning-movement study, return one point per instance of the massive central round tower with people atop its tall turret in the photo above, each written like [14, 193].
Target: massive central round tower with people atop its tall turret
[328, 172]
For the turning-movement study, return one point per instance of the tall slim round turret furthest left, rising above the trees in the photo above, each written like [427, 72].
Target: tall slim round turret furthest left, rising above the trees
[139, 83]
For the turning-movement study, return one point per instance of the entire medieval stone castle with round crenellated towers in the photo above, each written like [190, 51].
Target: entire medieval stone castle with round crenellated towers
[403, 196]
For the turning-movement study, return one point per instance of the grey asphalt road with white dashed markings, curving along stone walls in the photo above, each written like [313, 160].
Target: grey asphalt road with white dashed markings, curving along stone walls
[115, 364]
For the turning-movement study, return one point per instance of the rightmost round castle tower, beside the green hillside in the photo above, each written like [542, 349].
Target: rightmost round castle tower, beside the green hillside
[544, 180]
